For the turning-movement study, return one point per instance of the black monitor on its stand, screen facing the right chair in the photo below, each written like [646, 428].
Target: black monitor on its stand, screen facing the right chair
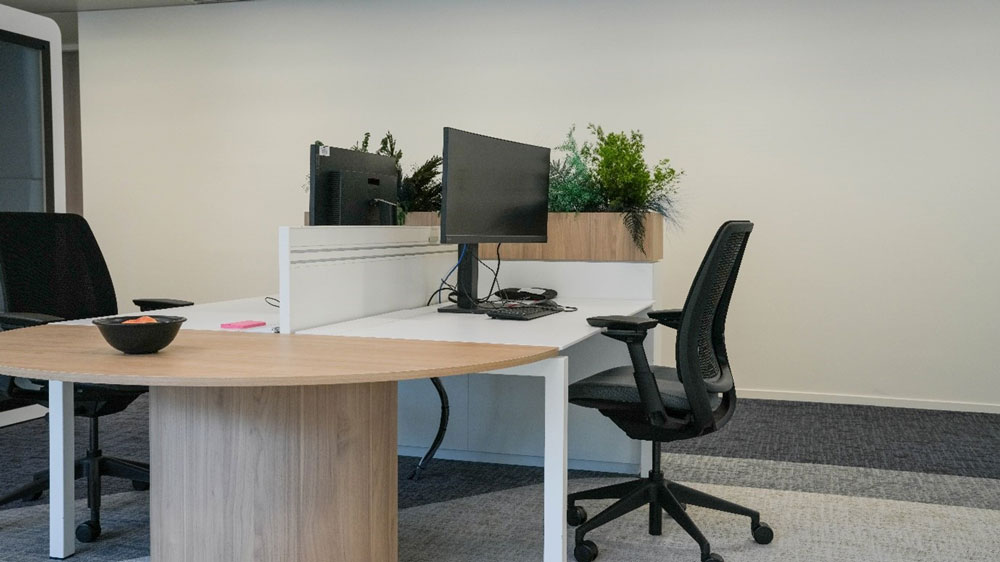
[492, 190]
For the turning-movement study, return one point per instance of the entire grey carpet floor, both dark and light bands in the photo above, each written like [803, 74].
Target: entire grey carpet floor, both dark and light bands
[836, 482]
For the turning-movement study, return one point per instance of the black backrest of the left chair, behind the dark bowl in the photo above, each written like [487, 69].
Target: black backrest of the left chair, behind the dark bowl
[51, 264]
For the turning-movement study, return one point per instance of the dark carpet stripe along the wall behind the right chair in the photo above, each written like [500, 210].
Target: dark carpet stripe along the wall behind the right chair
[937, 442]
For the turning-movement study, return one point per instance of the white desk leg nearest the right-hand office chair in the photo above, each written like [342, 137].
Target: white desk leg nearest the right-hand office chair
[556, 446]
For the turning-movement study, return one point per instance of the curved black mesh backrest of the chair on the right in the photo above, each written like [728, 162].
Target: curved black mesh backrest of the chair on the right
[701, 346]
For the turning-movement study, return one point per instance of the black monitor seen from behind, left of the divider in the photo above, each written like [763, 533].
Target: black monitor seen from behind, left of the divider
[347, 187]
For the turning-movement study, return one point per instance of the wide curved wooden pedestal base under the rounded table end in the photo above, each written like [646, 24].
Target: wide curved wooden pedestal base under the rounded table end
[293, 473]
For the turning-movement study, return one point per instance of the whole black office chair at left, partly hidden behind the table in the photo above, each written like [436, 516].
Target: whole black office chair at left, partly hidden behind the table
[52, 269]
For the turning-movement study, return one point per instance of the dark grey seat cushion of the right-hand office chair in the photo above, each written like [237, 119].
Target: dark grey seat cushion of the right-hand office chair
[617, 386]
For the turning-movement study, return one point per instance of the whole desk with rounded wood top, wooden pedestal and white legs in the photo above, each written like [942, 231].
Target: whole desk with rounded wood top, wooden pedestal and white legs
[400, 345]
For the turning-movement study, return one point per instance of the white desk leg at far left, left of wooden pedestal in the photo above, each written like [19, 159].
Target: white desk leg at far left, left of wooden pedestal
[62, 541]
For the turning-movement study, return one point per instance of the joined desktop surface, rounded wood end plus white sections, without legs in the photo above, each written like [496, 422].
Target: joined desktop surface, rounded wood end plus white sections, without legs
[408, 344]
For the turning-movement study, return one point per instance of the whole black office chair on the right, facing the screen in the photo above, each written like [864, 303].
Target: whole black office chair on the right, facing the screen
[662, 404]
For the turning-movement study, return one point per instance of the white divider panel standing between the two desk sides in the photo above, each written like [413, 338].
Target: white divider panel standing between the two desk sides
[331, 274]
